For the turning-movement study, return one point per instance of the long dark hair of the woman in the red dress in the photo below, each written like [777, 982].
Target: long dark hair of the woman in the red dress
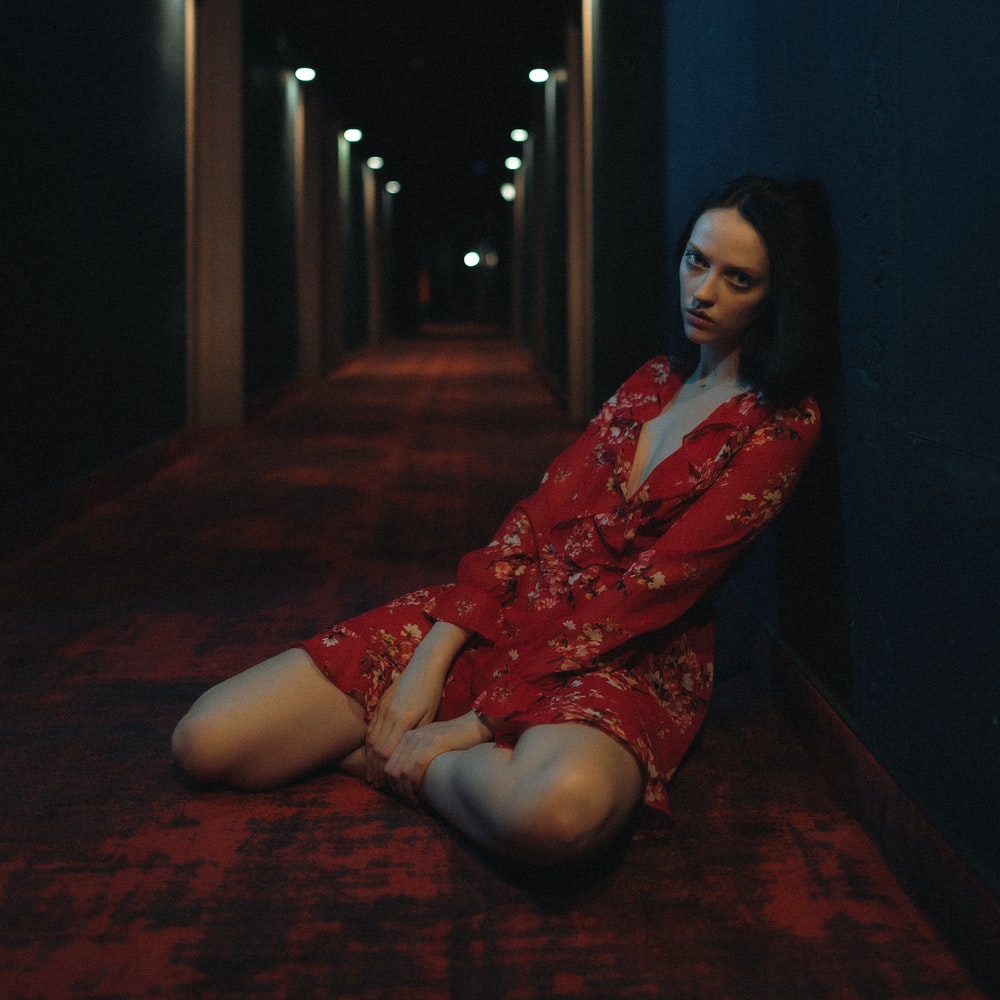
[785, 352]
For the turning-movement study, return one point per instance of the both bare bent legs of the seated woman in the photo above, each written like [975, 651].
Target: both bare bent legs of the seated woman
[563, 792]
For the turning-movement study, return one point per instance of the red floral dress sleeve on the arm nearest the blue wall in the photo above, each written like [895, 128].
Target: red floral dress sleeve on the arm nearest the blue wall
[692, 556]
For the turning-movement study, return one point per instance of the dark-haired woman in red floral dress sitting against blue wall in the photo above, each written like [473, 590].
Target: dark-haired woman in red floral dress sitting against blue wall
[536, 702]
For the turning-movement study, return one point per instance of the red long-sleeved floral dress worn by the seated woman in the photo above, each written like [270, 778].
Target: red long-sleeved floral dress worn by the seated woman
[590, 605]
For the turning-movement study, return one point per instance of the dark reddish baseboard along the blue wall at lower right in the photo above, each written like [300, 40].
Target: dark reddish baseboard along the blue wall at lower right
[940, 882]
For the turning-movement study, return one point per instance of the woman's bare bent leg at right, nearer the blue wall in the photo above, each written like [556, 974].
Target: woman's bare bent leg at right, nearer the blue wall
[563, 792]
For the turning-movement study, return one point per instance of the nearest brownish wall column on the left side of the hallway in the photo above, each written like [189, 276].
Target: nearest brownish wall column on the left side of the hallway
[214, 95]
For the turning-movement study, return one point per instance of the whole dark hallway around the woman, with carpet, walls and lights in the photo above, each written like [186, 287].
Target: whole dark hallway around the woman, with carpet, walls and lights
[300, 295]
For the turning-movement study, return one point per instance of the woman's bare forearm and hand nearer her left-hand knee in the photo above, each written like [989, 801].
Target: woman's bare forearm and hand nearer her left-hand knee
[412, 700]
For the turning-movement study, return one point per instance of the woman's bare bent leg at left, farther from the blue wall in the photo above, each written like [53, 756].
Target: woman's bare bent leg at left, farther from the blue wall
[268, 725]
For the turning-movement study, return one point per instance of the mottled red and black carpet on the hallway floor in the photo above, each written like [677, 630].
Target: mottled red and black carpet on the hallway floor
[120, 882]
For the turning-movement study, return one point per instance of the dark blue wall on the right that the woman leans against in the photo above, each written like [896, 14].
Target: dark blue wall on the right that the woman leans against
[889, 558]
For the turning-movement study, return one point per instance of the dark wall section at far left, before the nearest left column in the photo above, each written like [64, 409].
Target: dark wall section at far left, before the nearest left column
[92, 295]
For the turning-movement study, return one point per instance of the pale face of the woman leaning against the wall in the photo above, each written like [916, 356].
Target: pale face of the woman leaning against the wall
[725, 278]
